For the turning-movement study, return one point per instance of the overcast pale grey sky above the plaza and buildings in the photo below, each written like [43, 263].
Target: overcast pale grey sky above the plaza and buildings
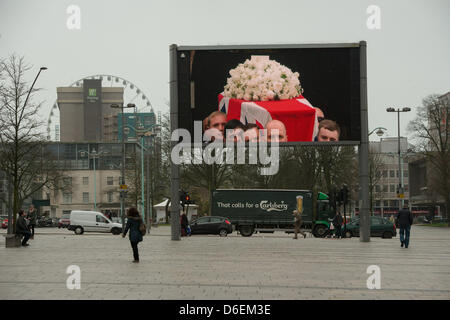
[408, 58]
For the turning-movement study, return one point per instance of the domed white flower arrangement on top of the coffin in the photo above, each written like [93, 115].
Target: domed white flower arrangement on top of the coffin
[262, 79]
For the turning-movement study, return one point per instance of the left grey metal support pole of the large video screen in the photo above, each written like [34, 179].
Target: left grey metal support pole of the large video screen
[175, 170]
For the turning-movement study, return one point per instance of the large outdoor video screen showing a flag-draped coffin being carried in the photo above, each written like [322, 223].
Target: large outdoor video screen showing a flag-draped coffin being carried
[308, 93]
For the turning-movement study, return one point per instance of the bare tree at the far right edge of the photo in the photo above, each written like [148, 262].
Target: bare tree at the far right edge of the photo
[431, 133]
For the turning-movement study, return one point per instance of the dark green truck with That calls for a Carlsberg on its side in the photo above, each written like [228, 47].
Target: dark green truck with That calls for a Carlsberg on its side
[269, 210]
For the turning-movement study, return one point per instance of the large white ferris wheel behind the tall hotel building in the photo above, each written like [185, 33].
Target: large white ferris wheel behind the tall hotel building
[131, 94]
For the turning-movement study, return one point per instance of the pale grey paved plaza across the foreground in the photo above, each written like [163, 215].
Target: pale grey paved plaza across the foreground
[264, 266]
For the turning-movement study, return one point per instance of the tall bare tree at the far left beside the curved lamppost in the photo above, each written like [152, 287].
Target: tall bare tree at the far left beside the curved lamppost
[22, 145]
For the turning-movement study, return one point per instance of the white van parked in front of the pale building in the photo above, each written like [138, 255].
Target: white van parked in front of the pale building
[92, 221]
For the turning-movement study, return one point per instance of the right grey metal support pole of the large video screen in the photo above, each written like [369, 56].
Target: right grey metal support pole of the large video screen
[363, 152]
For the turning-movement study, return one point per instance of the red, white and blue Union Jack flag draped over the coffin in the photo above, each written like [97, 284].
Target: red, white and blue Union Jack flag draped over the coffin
[298, 115]
